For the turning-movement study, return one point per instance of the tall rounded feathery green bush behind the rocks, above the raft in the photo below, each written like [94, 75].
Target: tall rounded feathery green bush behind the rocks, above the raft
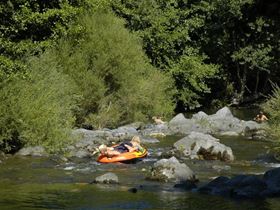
[115, 79]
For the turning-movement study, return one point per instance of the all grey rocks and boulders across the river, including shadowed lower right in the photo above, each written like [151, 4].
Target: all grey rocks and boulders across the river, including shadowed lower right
[200, 141]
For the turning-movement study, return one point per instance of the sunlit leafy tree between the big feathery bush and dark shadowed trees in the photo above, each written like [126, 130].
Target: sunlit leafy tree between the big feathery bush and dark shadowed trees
[169, 30]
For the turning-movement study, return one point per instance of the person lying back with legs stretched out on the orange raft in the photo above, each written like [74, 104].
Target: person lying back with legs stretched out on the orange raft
[131, 146]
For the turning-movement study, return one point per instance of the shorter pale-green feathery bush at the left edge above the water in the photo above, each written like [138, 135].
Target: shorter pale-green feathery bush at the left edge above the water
[37, 109]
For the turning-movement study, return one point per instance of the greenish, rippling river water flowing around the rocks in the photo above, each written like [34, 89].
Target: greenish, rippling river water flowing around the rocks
[50, 183]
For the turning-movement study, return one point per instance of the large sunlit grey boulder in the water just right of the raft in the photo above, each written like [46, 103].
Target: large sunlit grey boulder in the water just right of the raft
[199, 145]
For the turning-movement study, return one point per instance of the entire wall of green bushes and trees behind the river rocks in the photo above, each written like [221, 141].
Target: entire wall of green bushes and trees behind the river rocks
[72, 62]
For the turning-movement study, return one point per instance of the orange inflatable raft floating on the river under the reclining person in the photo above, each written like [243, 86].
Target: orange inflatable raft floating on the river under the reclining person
[123, 156]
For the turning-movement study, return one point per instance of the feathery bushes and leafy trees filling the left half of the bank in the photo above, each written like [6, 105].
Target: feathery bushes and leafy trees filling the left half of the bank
[73, 62]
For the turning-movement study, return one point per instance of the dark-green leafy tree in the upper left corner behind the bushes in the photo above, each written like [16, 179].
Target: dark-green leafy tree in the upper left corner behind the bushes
[28, 27]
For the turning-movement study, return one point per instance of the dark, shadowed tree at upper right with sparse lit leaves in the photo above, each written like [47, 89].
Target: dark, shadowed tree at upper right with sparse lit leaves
[243, 40]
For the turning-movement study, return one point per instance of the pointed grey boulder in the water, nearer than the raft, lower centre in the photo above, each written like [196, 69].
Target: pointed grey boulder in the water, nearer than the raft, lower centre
[171, 170]
